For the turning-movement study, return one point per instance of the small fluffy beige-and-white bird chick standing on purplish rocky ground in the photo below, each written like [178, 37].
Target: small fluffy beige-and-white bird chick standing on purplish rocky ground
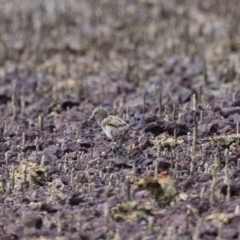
[114, 127]
